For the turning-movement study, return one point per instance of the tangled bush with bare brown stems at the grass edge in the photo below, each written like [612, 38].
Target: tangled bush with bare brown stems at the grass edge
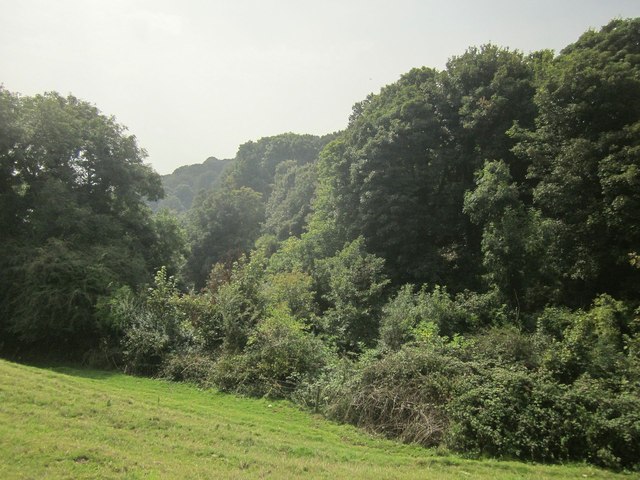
[402, 395]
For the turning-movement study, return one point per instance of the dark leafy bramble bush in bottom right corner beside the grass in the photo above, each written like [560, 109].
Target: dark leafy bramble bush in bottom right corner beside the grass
[513, 412]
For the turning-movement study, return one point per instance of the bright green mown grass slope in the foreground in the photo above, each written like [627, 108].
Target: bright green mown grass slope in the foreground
[71, 423]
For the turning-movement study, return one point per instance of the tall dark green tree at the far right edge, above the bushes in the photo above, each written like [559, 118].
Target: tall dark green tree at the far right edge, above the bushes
[585, 157]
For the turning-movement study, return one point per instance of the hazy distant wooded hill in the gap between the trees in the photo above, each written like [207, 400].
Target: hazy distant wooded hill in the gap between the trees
[185, 182]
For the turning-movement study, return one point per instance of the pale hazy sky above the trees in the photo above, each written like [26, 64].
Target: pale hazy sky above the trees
[197, 78]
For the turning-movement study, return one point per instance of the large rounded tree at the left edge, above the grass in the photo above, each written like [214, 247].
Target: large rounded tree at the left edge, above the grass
[74, 219]
